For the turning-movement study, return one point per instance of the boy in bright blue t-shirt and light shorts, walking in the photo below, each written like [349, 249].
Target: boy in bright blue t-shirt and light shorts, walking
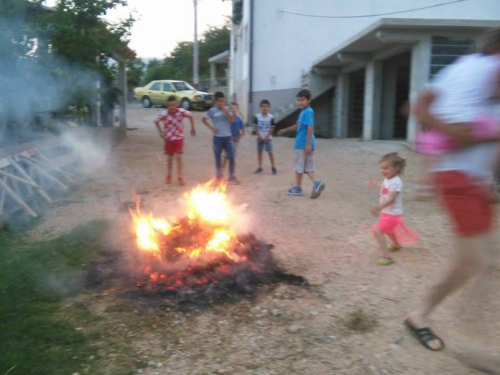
[305, 146]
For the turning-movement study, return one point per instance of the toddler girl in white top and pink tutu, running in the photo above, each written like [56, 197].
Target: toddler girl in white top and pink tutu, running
[390, 210]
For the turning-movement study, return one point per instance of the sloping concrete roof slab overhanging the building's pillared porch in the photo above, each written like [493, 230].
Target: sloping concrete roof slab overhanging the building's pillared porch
[391, 36]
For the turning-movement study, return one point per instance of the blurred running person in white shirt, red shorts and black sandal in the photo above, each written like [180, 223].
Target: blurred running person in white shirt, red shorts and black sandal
[460, 96]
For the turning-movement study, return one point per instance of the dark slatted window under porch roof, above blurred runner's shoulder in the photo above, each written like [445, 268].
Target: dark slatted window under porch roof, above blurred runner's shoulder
[445, 50]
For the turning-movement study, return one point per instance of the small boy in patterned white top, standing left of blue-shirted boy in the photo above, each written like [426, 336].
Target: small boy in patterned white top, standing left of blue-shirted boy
[264, 128]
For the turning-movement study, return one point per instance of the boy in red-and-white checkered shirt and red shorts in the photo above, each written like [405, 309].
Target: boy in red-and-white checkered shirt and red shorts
[173, 134]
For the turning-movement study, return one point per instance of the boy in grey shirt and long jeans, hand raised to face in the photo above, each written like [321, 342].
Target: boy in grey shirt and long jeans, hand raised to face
[222, 117]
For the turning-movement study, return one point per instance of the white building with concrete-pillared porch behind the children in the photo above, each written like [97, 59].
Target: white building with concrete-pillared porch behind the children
[361, 59]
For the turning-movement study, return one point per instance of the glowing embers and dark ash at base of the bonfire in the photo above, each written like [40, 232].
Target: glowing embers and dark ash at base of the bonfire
[200, 285]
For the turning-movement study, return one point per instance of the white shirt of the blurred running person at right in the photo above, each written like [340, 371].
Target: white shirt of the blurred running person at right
[465, 92]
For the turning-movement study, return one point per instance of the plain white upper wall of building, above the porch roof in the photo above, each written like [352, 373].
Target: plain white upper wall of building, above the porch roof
[286, 45]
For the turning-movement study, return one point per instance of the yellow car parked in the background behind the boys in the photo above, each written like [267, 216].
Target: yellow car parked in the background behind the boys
[157, 92]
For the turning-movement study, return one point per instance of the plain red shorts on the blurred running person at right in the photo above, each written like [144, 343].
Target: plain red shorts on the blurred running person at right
[467, 203]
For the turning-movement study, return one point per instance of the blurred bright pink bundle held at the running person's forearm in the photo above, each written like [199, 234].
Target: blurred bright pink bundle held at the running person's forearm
[435, 143]
